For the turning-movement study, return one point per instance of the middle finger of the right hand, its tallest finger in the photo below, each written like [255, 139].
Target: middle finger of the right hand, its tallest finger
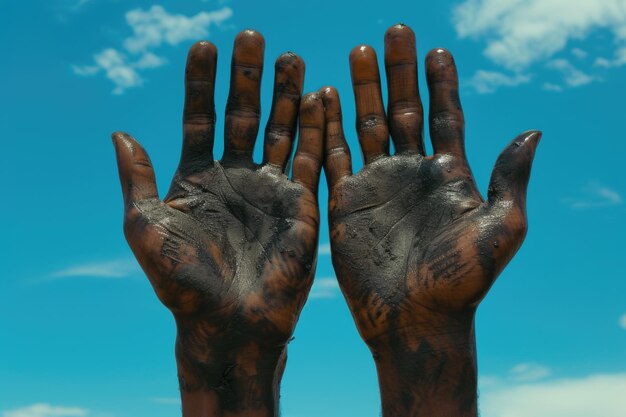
[406, 116]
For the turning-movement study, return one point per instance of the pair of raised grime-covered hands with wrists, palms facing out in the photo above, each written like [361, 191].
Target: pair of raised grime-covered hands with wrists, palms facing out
[232, 248]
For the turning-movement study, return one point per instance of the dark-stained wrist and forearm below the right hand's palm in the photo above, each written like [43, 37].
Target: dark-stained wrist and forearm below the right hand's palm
[430, 376]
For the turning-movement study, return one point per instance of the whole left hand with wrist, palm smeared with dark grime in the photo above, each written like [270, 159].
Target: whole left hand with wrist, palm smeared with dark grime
[232, 248]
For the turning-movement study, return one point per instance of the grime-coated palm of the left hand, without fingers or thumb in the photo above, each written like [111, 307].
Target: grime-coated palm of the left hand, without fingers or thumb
[260, 231]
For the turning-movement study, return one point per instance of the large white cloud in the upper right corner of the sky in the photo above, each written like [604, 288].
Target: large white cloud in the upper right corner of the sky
[521, 34]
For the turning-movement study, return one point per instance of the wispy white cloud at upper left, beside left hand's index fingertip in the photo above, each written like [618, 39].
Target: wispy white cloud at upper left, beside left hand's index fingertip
[151, 29]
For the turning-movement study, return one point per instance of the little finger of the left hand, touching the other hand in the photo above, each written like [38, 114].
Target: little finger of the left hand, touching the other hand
[307, 164]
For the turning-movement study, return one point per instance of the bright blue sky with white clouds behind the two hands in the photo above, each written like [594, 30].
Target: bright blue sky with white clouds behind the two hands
[83, 333]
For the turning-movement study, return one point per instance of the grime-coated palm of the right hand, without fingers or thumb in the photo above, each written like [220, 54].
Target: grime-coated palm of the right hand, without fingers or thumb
[415, 227]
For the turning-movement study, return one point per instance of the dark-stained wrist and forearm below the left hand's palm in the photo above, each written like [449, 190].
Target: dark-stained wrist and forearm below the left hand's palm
[241, 383]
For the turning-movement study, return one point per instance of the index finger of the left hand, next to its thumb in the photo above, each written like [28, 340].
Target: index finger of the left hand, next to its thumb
[199, 110]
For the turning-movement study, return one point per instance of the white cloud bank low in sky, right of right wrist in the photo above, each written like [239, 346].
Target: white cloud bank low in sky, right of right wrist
[595, 395]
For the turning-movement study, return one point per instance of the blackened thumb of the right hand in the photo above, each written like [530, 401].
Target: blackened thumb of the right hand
[511, 173]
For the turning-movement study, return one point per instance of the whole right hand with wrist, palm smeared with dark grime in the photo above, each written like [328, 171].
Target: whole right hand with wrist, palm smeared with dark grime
[414, 245]
